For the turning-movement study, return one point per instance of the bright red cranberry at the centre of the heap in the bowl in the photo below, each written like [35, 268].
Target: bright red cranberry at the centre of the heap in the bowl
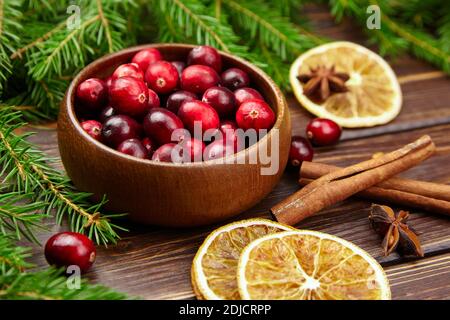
[191, 112]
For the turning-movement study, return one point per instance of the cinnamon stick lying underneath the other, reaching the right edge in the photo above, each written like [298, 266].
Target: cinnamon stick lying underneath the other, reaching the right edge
[402, 198]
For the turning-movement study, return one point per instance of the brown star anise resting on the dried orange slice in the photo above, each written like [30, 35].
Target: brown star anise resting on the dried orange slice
[322, 82]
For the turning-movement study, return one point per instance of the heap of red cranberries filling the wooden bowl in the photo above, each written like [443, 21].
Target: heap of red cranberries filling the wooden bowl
[149, 107]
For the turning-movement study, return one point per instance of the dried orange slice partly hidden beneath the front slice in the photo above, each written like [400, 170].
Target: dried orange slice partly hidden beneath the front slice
[214, 268]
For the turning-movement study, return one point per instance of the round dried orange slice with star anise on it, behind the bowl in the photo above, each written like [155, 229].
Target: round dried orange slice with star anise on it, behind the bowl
[373, 95]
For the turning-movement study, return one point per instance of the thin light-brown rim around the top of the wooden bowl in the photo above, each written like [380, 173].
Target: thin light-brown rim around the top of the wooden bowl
[281, 109]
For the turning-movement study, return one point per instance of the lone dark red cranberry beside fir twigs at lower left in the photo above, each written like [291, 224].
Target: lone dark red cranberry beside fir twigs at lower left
[70, 248]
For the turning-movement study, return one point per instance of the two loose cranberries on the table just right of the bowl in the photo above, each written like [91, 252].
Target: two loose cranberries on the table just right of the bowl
[320, 132]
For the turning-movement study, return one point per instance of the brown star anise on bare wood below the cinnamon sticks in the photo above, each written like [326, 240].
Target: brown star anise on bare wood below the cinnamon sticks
[395, 230]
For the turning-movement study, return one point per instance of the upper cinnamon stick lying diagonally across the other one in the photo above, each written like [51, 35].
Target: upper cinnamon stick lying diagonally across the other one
[341, 184]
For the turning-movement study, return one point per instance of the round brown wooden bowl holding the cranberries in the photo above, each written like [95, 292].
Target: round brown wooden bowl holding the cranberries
[166, 194]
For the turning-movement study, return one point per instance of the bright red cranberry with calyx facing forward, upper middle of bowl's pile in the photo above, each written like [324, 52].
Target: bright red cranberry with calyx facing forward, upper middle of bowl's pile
[162, 77]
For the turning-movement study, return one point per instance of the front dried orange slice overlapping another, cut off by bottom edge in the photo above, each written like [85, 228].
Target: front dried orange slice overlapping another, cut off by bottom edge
[306, 265]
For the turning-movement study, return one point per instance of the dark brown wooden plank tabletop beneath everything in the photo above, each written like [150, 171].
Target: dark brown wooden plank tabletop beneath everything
[154, 263]
